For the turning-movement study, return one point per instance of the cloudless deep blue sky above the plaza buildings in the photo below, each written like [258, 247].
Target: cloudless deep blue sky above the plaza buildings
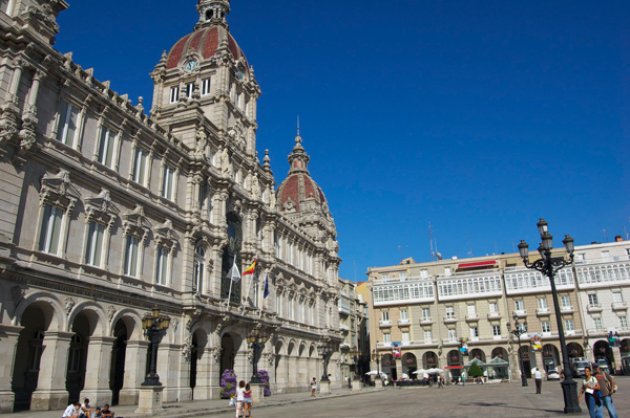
[478, 117]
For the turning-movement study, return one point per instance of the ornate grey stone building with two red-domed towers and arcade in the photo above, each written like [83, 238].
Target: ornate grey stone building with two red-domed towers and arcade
[107, 213]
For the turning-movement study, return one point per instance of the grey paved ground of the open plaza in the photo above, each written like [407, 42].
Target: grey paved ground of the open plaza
[489, 400]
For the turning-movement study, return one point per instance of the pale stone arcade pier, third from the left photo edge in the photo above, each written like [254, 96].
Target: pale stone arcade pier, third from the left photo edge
[97, 372]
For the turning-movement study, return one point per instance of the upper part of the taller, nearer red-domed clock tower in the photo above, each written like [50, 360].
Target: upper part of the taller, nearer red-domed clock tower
[206, 77]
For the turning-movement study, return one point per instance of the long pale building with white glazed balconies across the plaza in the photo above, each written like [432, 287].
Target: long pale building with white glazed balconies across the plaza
[434, 308]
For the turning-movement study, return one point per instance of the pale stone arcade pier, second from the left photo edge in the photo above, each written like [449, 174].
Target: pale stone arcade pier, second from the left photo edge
[51, 393]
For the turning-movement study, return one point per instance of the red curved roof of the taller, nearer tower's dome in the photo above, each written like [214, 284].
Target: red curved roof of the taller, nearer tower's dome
[203, 43]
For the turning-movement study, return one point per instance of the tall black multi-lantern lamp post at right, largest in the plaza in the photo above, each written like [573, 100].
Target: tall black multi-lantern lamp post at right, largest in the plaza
[548, 266]
